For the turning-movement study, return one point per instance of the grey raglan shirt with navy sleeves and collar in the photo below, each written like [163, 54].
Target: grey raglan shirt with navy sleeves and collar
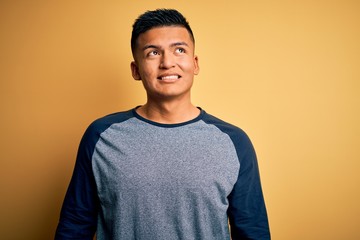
[138, 179]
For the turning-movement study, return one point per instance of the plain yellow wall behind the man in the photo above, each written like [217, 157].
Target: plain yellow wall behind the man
[287, 72]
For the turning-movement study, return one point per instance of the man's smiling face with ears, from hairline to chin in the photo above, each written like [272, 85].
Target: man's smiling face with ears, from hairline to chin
[165, 62]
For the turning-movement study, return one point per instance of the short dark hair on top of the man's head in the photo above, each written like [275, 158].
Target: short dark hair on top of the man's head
[158, 18]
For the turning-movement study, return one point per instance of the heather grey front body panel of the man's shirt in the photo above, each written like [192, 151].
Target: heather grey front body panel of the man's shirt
[164, 183]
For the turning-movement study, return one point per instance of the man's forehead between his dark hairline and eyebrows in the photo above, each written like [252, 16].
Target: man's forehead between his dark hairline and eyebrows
[164, 36]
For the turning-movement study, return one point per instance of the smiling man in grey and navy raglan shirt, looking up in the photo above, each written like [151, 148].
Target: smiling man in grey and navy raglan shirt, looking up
[164, 170]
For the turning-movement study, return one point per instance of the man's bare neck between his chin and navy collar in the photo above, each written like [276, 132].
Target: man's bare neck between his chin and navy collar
[168, 112]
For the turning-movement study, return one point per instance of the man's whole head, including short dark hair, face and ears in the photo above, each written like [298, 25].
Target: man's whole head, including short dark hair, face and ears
[164, 56]
